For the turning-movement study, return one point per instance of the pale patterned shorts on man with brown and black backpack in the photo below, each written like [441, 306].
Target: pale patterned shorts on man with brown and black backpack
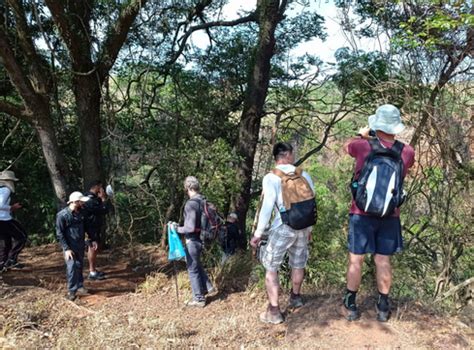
[284, 239]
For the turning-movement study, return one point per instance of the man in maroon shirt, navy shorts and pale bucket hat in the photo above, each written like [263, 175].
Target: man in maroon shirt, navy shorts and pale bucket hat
[368, 233]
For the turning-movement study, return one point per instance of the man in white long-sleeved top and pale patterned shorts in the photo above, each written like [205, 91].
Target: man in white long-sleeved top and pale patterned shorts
[282, 238]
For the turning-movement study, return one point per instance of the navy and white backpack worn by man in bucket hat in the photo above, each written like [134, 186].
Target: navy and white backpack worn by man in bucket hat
[378, 189]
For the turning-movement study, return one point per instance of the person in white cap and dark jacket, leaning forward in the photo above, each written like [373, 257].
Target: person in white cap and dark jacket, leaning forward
[71, 235]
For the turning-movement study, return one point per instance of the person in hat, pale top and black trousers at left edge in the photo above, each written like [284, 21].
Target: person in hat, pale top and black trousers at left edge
[11, 232]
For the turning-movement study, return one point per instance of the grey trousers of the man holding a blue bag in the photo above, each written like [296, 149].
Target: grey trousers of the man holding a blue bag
[200, 282]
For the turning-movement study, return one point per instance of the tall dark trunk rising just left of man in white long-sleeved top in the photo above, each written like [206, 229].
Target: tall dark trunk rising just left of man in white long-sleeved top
[269, 16]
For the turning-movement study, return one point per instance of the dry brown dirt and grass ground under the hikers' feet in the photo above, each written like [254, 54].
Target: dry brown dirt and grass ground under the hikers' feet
[136, 307]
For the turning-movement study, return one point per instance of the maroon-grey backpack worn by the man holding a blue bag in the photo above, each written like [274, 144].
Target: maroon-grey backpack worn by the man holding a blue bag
[211, 224]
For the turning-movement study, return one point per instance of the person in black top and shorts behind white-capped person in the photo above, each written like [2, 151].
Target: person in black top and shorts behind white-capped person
[95, 210]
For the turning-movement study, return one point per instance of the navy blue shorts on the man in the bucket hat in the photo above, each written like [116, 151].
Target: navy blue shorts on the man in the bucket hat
[370, 234]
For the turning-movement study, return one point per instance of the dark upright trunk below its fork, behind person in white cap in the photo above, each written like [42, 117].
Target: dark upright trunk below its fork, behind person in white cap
[88, 94]
